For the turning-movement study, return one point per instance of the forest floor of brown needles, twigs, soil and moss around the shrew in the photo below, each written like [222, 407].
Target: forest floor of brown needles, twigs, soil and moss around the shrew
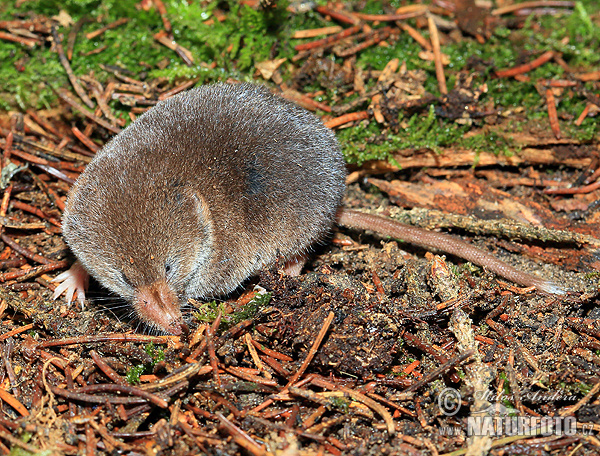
[476, 119]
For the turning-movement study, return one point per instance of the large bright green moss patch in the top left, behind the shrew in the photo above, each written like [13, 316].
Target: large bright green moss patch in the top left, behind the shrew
[132, 46]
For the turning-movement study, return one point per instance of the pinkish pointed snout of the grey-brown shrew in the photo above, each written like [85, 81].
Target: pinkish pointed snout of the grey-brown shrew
[158, 306]
